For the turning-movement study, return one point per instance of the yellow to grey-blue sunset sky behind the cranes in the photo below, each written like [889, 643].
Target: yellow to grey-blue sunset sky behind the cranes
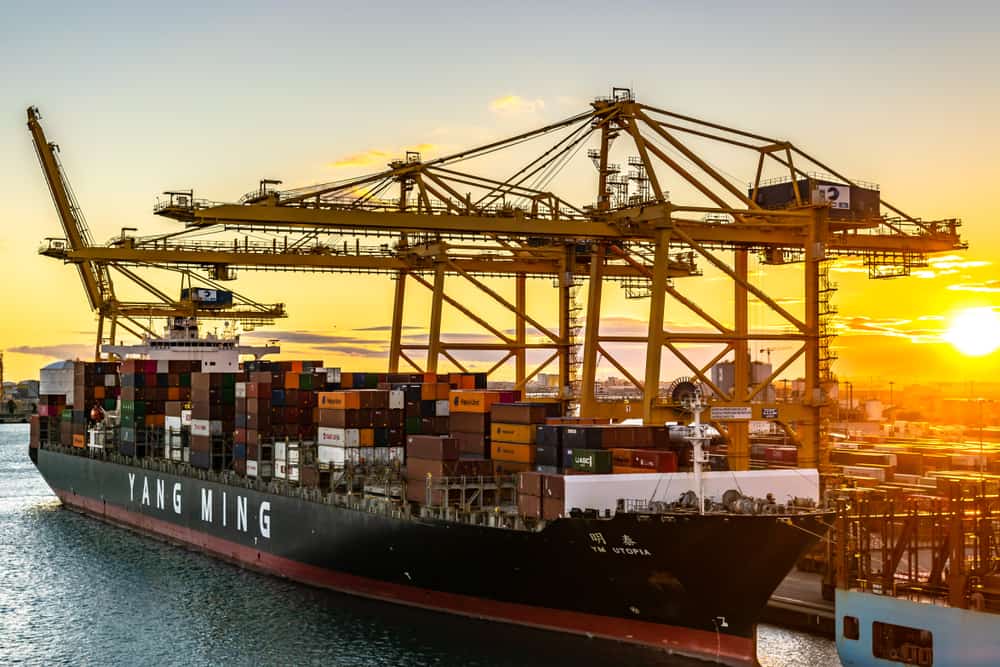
[141, 101]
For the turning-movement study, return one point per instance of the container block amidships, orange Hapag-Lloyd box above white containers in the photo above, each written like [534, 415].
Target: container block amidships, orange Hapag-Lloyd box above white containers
[360, 426]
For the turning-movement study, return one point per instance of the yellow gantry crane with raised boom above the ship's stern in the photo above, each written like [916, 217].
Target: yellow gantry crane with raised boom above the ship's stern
[96, 273]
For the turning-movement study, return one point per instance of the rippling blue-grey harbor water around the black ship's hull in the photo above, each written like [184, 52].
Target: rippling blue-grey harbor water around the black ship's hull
[75, 591]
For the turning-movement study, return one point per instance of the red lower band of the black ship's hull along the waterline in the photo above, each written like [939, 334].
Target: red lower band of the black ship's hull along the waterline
[716, 647]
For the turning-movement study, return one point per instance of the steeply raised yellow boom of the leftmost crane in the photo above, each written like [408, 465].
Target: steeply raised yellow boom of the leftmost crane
[96, 279]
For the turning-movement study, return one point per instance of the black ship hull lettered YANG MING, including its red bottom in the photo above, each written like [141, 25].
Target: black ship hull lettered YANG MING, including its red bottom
[688, 584]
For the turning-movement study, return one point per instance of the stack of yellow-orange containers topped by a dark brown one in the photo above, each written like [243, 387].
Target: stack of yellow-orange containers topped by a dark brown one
[512, 434]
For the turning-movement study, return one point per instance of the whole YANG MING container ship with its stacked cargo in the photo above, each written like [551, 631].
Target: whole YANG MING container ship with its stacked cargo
[427, 490]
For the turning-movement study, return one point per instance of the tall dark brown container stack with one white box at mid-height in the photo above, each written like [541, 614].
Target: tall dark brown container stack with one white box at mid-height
[213, 420]
